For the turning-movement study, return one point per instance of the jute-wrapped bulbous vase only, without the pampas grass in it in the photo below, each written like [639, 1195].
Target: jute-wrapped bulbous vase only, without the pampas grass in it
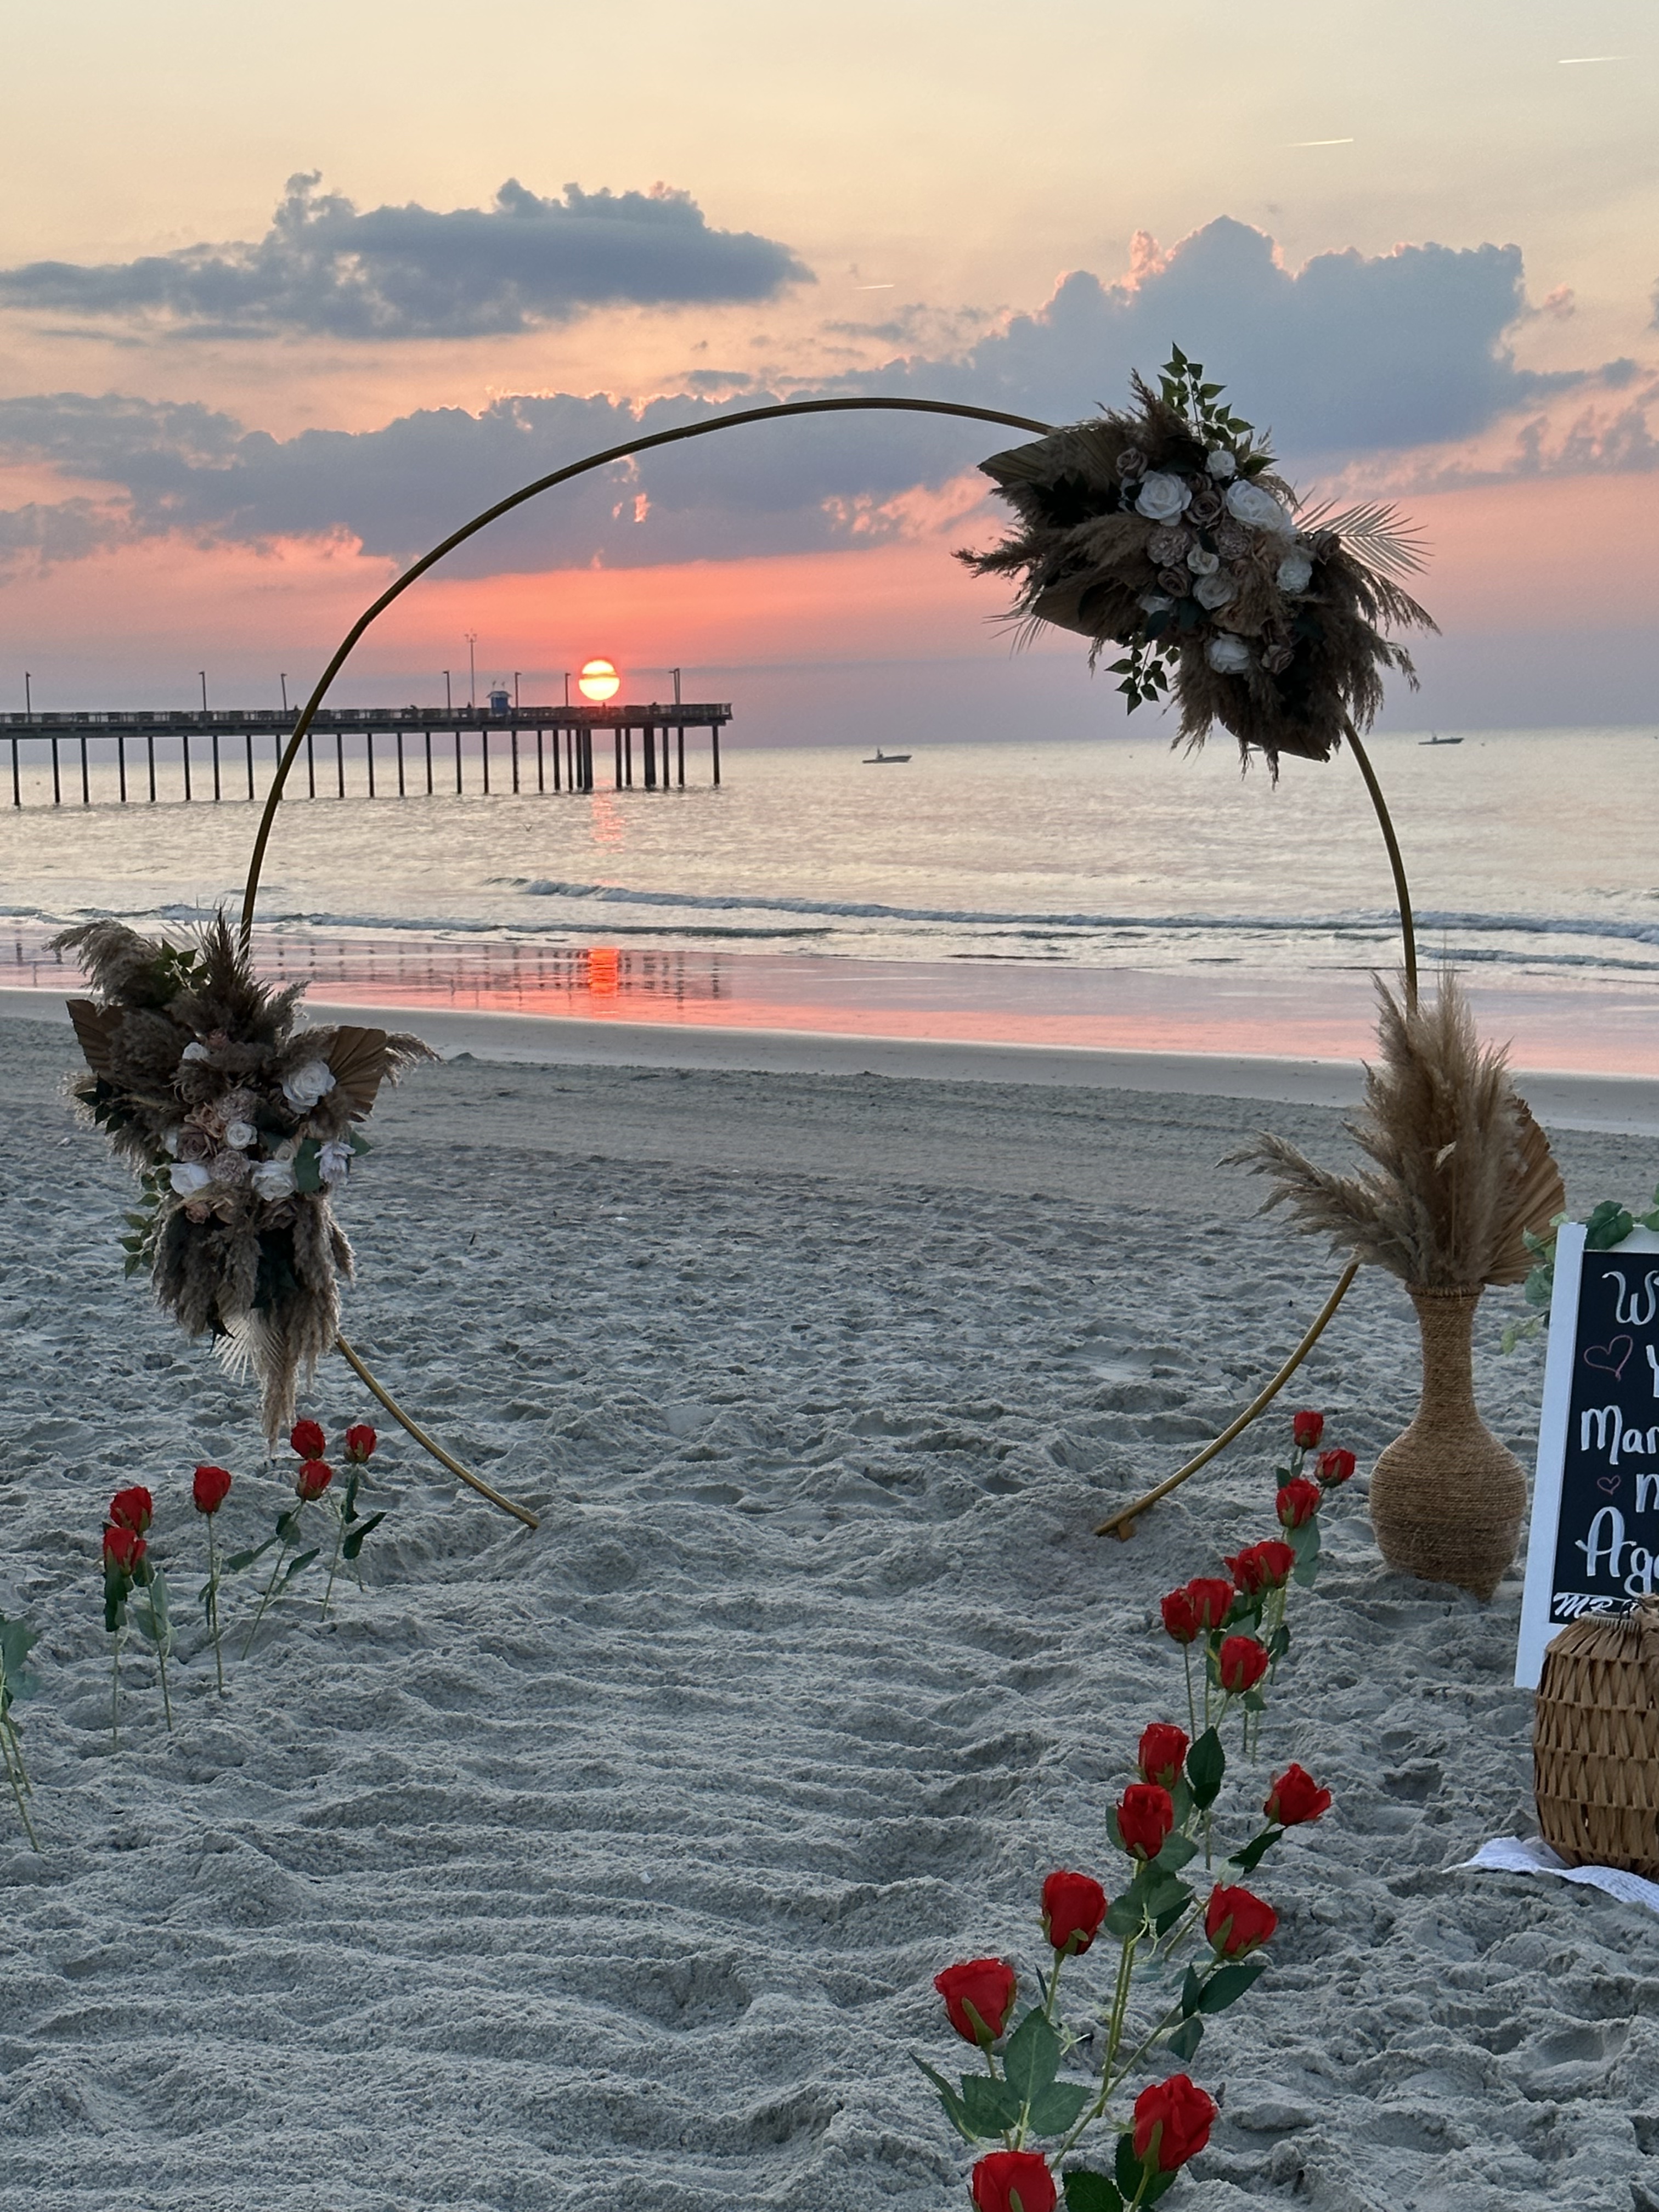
[1448, 1499]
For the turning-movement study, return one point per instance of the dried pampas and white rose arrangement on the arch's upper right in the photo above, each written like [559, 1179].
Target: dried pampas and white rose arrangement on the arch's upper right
[1169, 534]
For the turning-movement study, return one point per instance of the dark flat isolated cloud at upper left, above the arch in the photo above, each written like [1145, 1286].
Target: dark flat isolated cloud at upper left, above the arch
[328, 269]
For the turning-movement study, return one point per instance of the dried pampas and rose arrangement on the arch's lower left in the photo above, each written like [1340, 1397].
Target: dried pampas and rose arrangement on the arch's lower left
[240, 1127]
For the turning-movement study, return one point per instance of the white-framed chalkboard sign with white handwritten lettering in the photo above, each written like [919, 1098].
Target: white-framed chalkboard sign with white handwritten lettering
[1596, 1501]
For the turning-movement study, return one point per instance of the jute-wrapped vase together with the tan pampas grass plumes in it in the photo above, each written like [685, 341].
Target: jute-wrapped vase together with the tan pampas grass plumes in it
[1459, 1176]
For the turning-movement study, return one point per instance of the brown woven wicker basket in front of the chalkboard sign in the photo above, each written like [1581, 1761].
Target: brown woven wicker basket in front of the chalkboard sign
[1596, 1744]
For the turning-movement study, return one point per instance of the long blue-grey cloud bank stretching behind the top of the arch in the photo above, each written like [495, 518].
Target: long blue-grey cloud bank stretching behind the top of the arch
[1355, 359]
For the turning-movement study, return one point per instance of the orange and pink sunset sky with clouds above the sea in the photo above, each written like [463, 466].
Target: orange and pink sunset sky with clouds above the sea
[289, 293]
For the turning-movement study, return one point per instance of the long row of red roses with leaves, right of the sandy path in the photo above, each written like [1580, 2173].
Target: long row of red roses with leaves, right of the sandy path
[1202, 1945]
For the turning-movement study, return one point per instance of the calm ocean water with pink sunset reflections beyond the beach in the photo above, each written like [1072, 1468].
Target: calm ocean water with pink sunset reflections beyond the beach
[1107, 893]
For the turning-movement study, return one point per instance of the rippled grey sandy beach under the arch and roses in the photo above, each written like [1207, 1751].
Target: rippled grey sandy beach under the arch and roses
[609, 1868]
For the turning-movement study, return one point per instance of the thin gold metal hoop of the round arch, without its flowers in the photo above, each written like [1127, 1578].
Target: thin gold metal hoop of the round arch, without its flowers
[1123, 1523]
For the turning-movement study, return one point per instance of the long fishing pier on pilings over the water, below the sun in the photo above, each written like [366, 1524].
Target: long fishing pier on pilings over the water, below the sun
[158, 755]
